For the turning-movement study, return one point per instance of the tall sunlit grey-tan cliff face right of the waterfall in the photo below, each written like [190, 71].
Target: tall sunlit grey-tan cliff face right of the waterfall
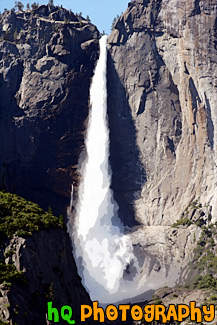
[162, 115]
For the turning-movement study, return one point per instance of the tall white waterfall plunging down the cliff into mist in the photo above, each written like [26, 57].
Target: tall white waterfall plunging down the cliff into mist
[101, 250]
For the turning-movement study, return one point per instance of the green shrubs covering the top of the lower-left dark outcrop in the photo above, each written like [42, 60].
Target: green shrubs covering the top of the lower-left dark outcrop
[20, 217]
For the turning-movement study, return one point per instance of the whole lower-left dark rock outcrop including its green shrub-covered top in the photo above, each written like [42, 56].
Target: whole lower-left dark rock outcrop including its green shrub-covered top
[36, 264]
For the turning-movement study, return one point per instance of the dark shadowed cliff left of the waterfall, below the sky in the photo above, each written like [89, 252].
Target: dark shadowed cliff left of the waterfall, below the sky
[46, 63]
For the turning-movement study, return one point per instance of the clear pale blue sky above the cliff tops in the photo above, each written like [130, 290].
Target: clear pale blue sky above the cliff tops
[101, 12]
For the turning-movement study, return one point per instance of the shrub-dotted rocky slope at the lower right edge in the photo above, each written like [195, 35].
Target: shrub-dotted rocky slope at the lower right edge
[200, 283]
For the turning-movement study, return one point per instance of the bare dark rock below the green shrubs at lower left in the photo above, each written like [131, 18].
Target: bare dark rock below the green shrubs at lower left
[51, 275]
